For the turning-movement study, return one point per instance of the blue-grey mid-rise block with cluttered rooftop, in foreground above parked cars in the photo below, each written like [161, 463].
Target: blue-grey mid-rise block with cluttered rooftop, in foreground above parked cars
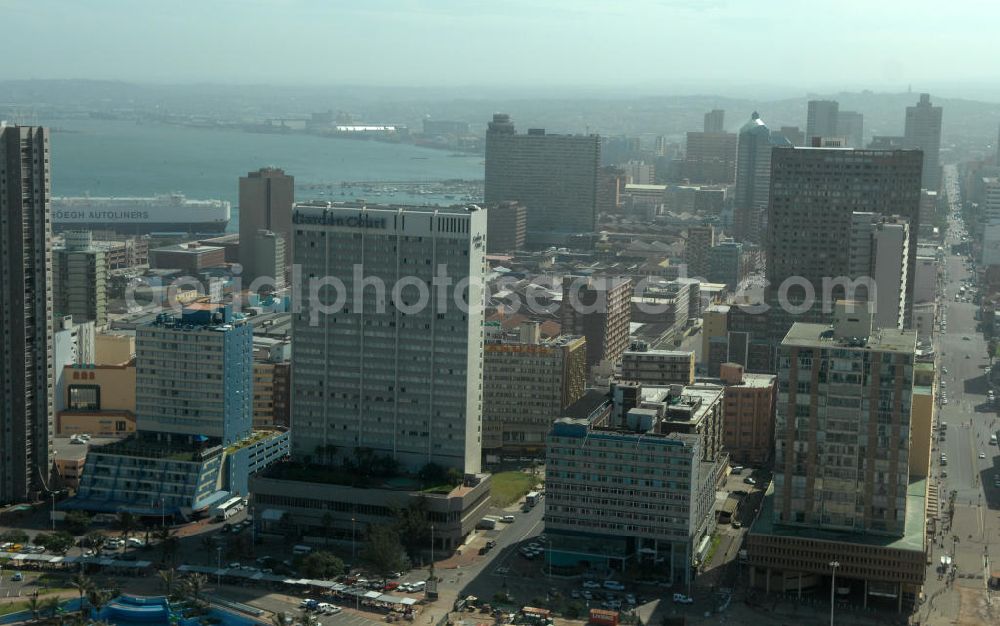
[636, 486]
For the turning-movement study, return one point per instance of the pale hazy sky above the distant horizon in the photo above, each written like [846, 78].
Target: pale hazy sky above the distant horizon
[878, 44]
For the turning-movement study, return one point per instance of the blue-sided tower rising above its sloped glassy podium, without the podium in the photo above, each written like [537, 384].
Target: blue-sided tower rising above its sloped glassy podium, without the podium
[195, 375]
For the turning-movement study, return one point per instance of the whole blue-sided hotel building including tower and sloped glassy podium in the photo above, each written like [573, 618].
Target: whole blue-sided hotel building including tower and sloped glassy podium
[194, 444]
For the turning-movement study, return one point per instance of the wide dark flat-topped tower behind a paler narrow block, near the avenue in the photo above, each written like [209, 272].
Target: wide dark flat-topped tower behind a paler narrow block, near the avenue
[814, 192]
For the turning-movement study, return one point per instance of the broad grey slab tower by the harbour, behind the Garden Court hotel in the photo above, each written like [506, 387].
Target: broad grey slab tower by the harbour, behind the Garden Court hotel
[554, 176]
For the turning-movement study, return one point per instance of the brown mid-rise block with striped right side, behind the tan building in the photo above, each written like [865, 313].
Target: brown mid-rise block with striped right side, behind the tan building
[599, 308]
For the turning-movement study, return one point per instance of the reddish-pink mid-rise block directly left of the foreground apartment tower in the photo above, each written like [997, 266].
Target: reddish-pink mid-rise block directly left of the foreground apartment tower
[748, 414]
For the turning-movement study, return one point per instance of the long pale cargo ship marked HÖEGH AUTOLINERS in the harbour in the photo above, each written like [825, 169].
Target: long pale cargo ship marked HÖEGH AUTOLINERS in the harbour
[141, 215]
